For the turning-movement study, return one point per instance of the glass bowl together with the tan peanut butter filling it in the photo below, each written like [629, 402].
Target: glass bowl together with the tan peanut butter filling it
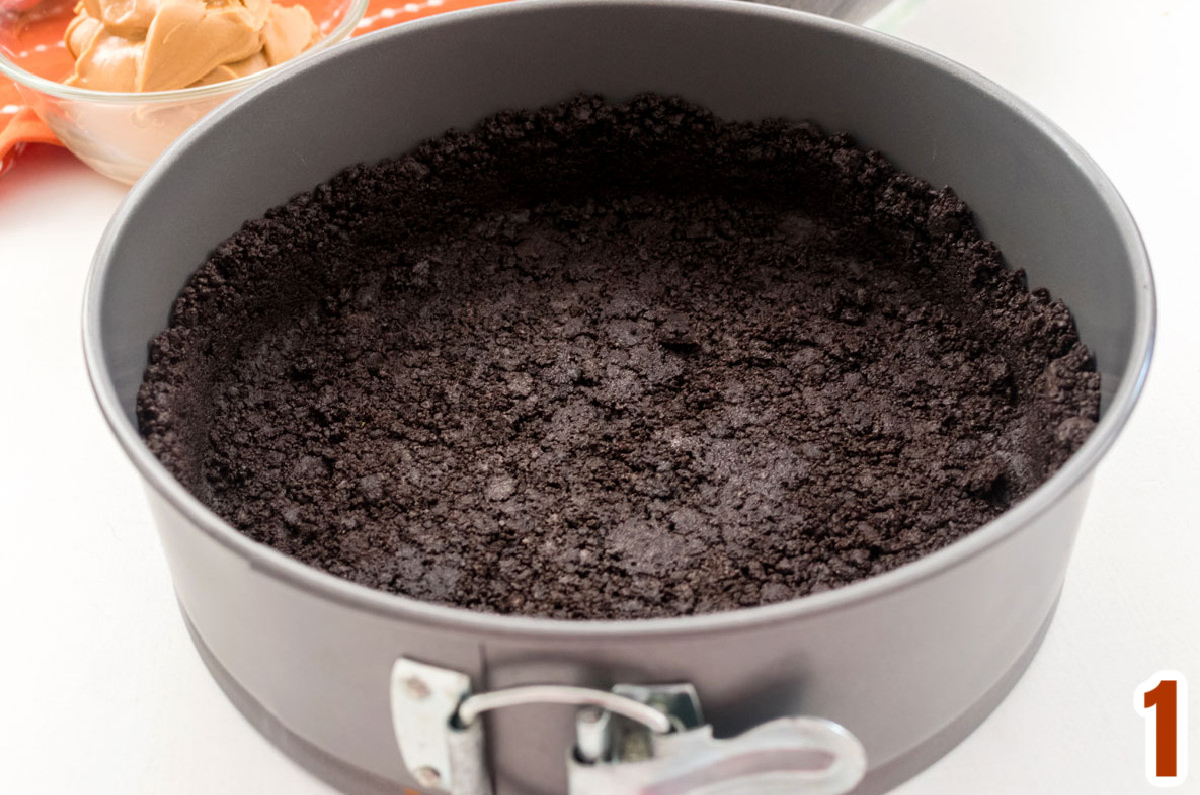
[118, 81]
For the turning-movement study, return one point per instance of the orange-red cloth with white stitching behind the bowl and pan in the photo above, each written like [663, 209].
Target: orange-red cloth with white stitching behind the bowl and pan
[21, 127]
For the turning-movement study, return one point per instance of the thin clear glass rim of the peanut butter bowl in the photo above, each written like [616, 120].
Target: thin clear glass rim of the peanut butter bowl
[355, 13]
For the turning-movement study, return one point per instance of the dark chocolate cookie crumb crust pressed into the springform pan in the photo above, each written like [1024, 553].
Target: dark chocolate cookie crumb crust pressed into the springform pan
[615, 362]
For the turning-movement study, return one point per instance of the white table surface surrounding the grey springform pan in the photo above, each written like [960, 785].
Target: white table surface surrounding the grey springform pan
[103, 692]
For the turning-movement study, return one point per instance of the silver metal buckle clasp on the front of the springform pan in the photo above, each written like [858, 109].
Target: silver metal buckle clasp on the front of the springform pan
[633, 740]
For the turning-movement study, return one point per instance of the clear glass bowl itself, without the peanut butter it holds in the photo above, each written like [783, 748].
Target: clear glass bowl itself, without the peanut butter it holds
[121, 135]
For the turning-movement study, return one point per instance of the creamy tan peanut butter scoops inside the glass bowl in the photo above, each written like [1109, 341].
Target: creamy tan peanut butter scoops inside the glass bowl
[166, 45]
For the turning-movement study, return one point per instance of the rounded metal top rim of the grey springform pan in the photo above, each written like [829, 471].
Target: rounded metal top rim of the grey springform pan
[277, 565]
